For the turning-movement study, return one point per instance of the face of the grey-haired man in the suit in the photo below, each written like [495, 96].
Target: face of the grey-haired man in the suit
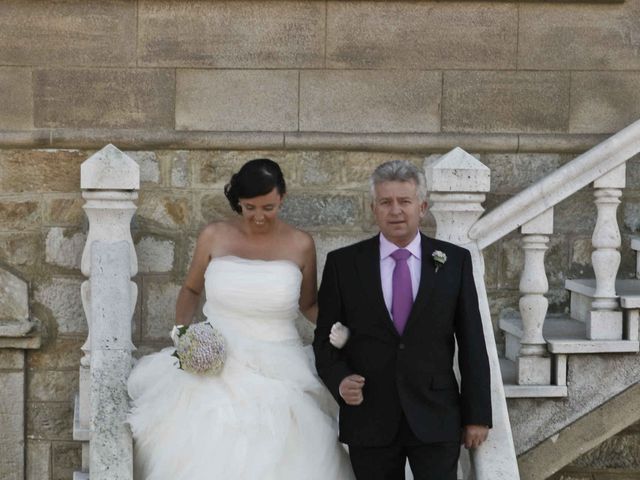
[398, 210]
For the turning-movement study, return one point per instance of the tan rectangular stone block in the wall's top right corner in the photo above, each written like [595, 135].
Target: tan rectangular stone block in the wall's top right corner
[569, 36]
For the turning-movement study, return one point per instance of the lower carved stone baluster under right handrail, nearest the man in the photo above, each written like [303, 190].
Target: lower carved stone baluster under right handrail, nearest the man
[533, 363]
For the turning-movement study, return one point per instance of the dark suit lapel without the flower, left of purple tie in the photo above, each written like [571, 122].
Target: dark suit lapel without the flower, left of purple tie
[368, 265]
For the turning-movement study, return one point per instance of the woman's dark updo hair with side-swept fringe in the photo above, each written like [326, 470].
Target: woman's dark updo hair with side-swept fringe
[256, 177]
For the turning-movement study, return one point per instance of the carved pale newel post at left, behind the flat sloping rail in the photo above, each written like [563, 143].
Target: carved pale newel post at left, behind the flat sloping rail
[109, 180]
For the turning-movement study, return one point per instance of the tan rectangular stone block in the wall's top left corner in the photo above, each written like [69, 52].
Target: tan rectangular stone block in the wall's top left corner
[75, 32]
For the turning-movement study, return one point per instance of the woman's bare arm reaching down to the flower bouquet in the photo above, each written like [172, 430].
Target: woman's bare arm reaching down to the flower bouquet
[189, 295]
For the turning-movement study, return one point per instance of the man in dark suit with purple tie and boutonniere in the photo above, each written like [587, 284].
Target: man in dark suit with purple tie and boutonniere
[405, 299]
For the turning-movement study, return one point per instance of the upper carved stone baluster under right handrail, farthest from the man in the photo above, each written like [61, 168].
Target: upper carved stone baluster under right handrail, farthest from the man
[605, 318]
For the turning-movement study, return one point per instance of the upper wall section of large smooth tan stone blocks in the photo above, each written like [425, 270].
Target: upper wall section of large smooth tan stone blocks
[300, 72]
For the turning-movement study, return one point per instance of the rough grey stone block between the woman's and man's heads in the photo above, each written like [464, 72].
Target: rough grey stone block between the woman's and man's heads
[322, 210]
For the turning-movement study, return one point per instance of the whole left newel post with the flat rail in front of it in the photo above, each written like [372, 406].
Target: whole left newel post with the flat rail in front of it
[110, 180]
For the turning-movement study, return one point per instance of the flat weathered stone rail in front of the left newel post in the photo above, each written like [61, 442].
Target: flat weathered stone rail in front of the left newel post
[111, 449]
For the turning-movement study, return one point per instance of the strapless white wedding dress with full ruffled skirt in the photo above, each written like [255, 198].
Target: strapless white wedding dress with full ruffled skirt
[267, 416]
